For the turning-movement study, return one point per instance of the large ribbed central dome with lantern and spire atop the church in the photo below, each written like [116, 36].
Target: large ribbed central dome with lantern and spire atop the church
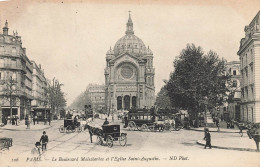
[130, 43]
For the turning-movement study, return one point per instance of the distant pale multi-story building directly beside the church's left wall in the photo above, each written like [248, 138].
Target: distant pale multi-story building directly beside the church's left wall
[97, 96]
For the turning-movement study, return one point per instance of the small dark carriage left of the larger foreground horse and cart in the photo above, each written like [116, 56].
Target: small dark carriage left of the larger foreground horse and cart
[70, 125]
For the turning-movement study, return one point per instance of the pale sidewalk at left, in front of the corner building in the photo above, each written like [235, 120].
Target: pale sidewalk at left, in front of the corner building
[22, 127]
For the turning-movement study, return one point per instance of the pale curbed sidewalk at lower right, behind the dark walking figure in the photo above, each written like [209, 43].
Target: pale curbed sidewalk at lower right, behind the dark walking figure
[234, 143]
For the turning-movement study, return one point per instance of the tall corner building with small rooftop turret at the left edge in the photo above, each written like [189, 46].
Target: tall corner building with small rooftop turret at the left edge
[15, 76]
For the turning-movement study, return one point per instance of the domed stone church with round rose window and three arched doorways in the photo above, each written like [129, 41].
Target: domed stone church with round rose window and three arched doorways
[129, 73]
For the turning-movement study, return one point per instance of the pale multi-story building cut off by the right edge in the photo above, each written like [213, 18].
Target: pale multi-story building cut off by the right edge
[249, 54]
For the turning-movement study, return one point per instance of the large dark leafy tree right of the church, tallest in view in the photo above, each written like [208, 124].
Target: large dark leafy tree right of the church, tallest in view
[197, 80]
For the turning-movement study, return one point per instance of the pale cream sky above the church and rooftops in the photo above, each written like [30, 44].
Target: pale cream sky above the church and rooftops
[70, 39]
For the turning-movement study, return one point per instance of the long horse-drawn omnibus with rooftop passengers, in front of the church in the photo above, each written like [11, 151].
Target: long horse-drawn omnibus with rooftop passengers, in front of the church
[148, 121]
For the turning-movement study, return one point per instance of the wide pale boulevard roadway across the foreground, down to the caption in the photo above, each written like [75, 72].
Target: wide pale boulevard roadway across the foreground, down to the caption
[175, 146]
